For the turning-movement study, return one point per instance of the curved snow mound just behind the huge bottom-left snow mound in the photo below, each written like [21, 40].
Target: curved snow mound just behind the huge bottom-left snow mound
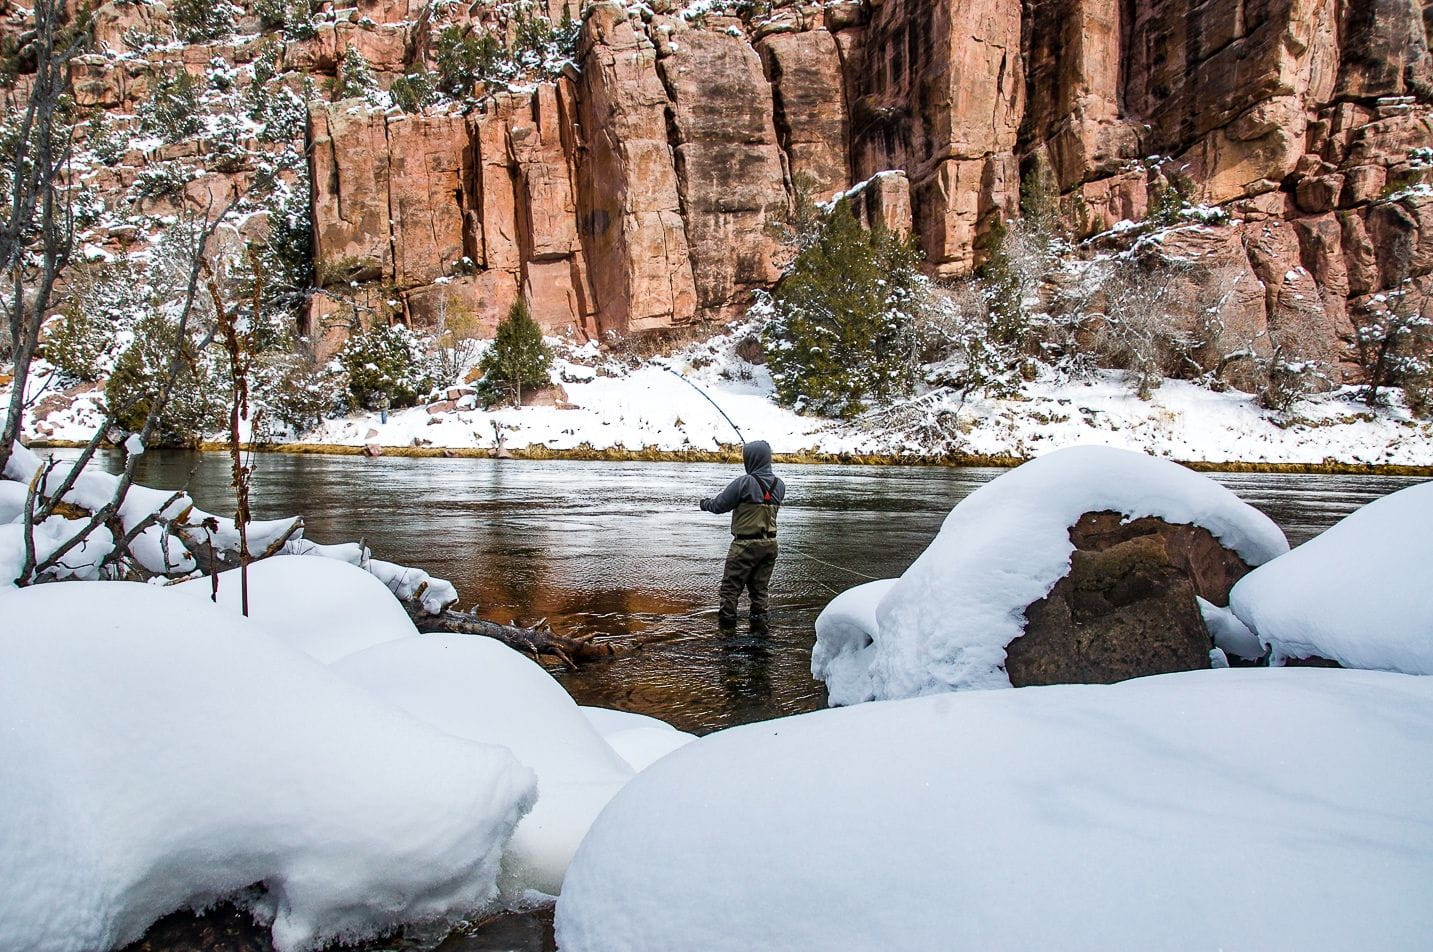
[482, 690]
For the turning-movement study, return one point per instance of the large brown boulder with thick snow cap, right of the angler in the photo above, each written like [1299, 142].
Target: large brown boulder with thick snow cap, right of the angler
[949, 623]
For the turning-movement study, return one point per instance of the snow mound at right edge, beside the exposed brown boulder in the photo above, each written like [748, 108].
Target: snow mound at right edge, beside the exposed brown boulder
[1359, 594]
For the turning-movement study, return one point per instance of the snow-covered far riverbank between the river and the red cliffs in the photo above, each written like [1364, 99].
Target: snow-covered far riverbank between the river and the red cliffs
[624, 406]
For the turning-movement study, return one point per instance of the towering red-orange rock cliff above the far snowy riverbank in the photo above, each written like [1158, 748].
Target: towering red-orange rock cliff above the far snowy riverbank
[637, 190]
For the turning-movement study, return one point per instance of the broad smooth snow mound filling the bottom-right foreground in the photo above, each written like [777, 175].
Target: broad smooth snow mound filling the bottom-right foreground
[1146, 815]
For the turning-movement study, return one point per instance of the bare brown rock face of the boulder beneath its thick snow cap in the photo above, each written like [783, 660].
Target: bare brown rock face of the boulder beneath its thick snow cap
[1127, 607]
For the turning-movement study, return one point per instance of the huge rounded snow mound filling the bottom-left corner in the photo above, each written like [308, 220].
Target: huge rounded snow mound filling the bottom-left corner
[158, 753]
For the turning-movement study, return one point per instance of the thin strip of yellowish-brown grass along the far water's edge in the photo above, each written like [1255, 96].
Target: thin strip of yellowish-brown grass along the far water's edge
[733, 455]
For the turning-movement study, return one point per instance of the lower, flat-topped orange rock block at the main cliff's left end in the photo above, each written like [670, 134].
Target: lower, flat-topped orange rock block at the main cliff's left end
[458, 214]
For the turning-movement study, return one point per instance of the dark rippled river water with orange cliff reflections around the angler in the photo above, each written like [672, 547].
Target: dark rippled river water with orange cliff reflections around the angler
[623, 550]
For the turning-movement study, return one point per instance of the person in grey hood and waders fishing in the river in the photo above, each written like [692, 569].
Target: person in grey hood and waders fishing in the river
[753, 503]
